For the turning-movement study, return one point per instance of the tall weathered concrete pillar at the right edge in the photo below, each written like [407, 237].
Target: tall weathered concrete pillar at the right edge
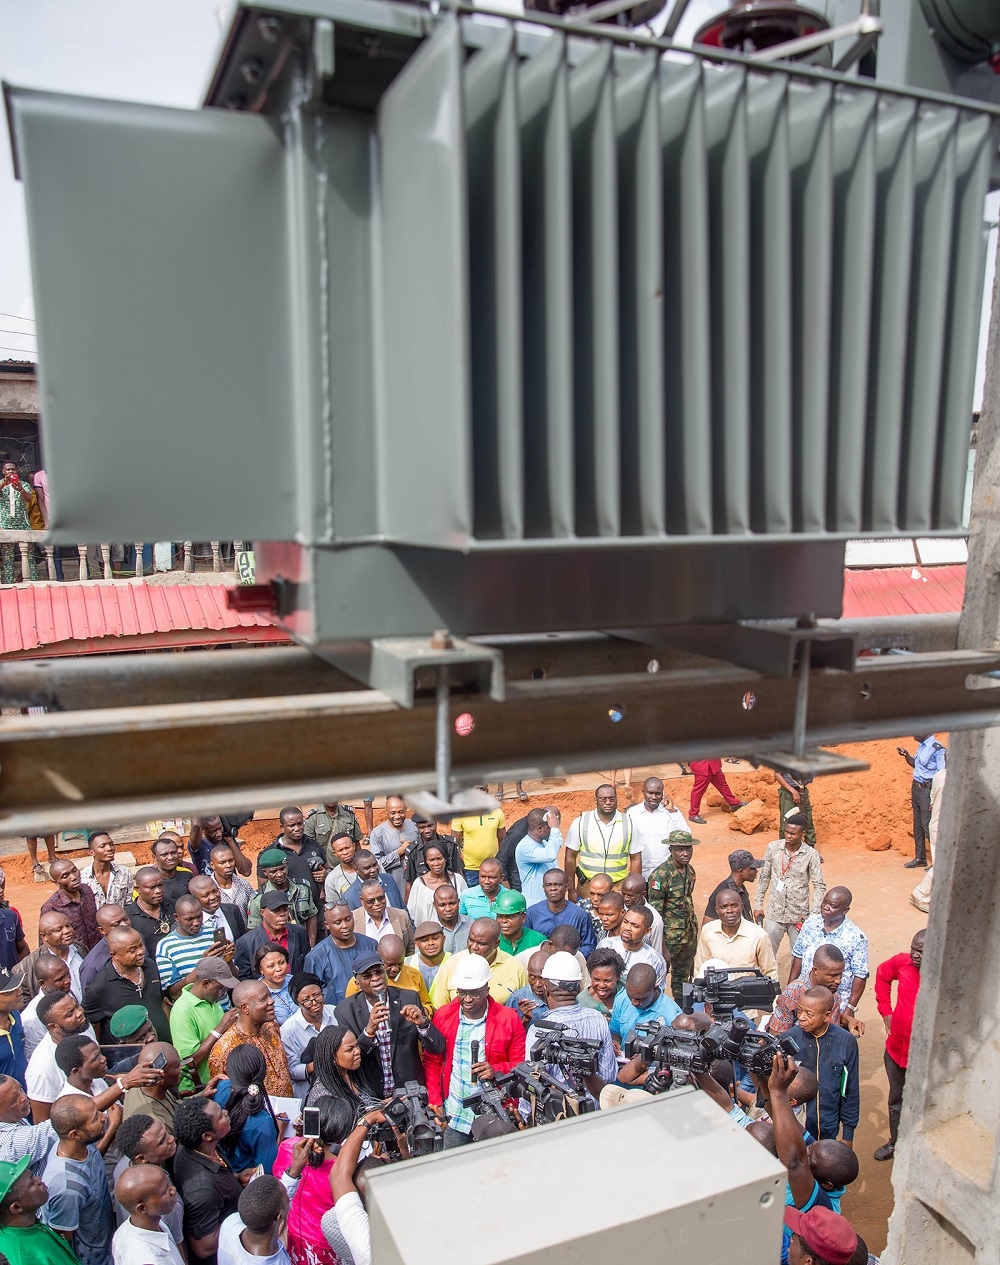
[946, 1175]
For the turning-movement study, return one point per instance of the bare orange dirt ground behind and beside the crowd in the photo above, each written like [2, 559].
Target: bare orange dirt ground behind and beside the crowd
[864, 828]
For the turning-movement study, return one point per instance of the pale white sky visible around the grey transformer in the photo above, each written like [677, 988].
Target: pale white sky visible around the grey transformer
[160, 52]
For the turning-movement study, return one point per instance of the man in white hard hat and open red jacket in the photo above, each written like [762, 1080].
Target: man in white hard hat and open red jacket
[484, 1040]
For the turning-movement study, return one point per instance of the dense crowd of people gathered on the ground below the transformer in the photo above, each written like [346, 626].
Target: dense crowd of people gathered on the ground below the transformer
[174, 1027]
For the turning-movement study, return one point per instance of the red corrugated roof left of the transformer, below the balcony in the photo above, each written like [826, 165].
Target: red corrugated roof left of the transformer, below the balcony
[114, 615]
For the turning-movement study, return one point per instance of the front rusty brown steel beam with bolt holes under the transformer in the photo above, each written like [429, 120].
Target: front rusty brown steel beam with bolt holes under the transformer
[135, 763]
